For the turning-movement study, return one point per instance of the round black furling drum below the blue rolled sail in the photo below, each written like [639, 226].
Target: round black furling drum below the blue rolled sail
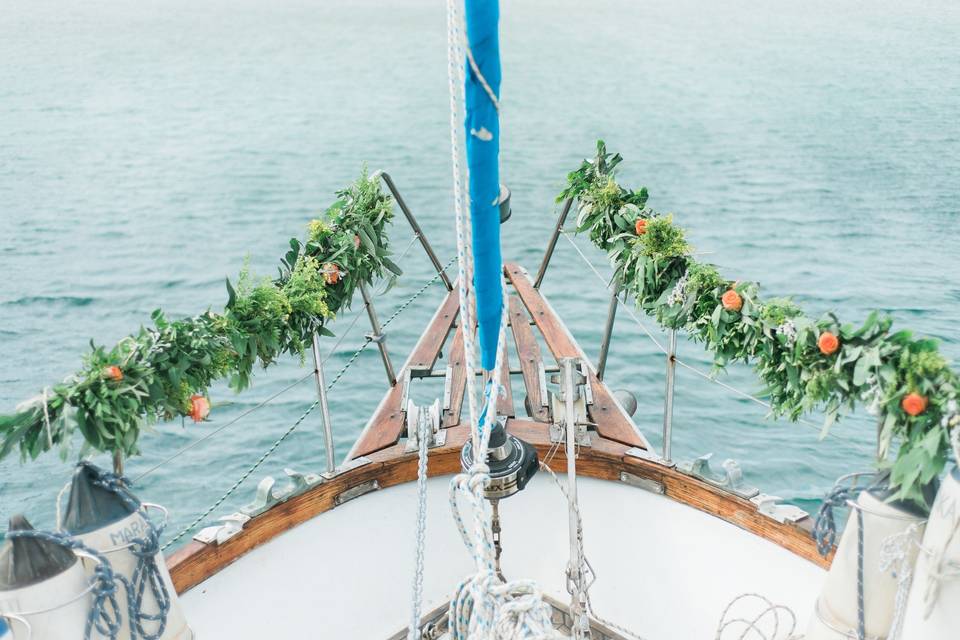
[512, 462]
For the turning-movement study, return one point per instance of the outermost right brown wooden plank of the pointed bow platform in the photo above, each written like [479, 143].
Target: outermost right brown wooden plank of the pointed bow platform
[612, 422]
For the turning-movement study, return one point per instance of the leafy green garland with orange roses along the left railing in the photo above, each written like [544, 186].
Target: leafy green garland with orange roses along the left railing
[166, 370]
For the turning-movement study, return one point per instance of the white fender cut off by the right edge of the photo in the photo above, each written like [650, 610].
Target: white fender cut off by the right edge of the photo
[933, 610]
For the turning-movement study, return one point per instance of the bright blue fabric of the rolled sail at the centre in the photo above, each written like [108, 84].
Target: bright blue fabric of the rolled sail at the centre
[483, 38]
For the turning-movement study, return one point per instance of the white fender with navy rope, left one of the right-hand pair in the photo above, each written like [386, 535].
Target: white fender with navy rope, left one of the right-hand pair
[835, 616]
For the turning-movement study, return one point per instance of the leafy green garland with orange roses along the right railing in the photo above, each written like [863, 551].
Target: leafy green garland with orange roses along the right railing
[805, 364]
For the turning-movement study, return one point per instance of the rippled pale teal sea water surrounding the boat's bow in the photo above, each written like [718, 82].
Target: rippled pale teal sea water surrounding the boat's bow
[147, 148]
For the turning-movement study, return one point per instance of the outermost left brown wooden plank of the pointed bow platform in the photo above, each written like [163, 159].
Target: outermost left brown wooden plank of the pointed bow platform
[386, 424]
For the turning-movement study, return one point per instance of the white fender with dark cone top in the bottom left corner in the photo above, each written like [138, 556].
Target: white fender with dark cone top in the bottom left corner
[54, 601]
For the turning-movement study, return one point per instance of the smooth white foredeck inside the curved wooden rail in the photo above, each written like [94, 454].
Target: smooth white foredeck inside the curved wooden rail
[664, 570]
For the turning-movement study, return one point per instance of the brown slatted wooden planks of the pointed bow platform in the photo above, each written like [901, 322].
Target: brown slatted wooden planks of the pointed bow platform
[528, 311]
